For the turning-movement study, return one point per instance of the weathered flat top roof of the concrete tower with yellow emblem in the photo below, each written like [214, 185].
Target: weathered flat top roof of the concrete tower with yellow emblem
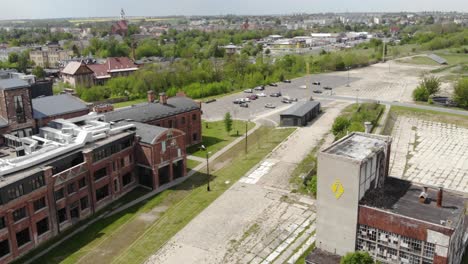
[358, 146]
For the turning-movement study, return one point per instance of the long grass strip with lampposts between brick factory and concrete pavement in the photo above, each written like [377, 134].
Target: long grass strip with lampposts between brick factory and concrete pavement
[133, 235]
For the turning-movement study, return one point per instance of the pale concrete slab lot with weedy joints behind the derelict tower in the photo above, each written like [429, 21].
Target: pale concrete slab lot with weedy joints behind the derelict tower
[430, 153]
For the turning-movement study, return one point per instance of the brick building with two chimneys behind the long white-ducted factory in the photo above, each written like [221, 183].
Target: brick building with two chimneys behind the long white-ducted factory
[178, 112]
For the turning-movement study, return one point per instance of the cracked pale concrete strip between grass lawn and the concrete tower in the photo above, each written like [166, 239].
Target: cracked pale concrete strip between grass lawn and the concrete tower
[257, 220]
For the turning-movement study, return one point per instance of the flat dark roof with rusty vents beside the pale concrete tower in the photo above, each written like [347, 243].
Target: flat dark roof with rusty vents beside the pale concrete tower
[402, 197]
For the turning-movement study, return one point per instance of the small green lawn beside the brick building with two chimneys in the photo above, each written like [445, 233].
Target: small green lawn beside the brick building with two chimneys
[215, 137]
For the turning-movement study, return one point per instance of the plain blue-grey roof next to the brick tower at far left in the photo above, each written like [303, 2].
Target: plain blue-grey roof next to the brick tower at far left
[56, 105]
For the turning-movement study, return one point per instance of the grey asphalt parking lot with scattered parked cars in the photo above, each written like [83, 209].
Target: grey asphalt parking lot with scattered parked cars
[257, 110]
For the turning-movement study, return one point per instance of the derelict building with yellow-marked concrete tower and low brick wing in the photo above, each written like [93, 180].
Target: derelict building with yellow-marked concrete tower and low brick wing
[360, 208]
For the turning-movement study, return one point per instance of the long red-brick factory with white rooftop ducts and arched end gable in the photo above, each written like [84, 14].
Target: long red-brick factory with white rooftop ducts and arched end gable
[75, 167]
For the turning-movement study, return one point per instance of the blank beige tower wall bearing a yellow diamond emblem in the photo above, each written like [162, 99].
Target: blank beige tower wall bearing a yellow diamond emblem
[337, 217]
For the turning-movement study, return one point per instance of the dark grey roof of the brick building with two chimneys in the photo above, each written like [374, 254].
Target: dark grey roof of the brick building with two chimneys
[152, 111]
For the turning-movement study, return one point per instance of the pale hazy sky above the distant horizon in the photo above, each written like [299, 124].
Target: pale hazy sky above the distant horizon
[32, 9]
